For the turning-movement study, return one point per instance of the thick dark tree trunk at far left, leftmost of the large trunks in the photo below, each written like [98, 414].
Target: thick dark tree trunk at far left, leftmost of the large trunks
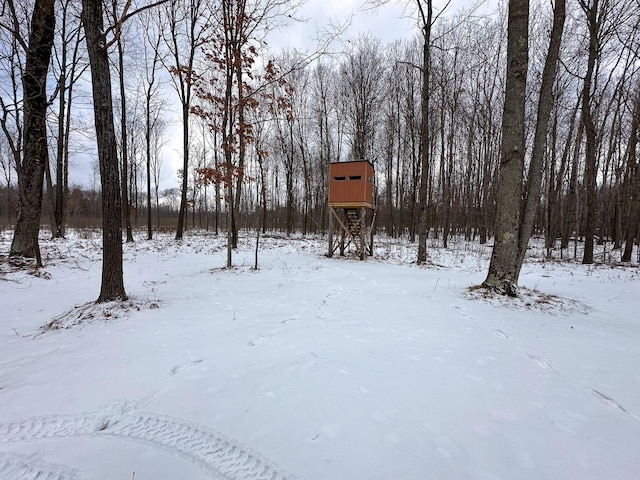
[36, 153]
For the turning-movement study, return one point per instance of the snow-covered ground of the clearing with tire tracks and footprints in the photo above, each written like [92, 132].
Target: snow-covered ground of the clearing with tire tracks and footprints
[315, 368]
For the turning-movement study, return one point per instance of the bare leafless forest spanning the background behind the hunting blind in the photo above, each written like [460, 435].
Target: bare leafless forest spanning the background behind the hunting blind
[301, 111]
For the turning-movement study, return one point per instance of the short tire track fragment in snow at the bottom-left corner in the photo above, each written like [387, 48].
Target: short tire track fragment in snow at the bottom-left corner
[22, 467]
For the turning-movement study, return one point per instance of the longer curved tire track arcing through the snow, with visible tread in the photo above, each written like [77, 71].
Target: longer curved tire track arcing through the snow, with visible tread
[218, 456]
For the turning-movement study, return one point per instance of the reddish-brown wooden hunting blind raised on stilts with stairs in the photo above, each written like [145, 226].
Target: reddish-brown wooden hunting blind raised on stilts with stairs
[351, 207]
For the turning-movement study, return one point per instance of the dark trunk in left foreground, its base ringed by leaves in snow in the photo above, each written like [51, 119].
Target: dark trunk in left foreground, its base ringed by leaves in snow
[112, 273]
